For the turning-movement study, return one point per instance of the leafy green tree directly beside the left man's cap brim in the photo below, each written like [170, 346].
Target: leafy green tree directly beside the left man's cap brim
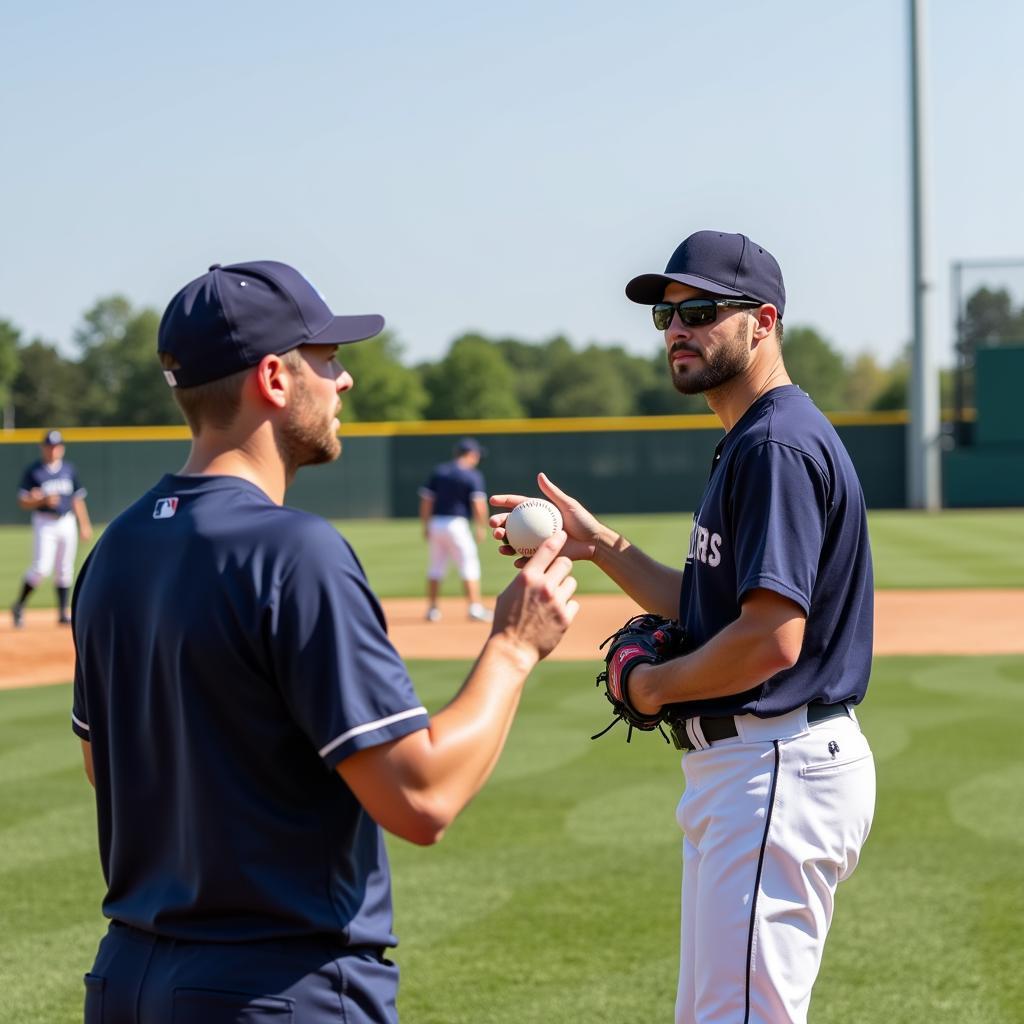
[385, 389]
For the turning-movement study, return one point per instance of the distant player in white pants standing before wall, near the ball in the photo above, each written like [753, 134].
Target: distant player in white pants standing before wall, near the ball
[455, 497]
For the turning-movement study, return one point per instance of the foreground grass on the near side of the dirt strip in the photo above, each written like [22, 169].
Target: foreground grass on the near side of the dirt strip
[554, 898]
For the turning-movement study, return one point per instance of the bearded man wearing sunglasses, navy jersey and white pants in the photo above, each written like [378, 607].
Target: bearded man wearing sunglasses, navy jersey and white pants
[777, 600]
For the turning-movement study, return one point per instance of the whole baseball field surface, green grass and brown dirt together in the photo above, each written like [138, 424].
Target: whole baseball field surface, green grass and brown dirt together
[556, 898]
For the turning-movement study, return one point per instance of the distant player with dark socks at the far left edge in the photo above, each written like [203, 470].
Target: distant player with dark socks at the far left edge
[52, 492]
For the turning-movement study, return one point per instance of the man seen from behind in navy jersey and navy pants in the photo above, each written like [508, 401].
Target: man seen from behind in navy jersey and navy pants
[246, 722]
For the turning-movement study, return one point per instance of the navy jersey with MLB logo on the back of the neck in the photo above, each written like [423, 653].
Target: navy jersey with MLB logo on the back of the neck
[230, 655]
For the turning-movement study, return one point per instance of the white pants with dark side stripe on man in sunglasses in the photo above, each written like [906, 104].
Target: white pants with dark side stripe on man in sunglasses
[772, 829]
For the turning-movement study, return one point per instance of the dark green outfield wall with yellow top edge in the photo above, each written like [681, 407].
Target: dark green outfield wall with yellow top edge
[628, 465]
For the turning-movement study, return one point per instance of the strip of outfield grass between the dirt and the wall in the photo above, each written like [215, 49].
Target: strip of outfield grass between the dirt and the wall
[984, 548]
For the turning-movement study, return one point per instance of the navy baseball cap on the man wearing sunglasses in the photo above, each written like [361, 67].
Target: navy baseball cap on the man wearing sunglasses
[724, 265]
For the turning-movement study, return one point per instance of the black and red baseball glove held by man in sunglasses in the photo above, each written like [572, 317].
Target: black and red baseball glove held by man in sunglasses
[647, 639]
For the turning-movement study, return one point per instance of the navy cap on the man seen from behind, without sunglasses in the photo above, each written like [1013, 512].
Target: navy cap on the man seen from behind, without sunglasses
[232, 317]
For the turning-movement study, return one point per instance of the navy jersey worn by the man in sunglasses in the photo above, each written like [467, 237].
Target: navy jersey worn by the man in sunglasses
[784, 511]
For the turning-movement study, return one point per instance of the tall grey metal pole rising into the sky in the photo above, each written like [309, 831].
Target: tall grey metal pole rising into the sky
[924, 491]
